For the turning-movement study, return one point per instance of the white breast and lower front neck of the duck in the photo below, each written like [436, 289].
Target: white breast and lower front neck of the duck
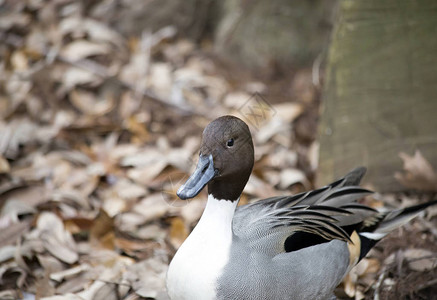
[198, 263]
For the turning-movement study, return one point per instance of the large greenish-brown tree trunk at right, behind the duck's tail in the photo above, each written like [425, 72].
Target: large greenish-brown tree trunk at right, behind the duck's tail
[380, 96]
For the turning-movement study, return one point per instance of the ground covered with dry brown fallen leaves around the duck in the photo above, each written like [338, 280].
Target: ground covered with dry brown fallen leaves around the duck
[98, 131]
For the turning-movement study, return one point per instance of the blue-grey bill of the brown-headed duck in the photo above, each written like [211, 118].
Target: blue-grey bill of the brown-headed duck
[202, 175]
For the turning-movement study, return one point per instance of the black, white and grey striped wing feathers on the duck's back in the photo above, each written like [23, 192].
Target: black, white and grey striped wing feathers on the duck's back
[323, 214]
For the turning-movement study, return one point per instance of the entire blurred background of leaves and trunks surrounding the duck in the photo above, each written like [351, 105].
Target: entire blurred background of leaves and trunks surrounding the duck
[102, 106]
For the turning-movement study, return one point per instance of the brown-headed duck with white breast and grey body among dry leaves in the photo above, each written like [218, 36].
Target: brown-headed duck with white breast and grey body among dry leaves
[286, 247]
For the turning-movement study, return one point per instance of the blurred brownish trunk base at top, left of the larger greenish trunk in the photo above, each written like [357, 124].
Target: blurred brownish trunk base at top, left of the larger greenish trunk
[264, 35]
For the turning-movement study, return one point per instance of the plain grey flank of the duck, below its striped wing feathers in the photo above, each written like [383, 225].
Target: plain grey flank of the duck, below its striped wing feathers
[304, 274]
